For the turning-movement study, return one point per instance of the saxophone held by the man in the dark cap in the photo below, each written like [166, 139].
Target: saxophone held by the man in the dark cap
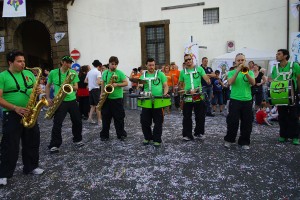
[66, 88]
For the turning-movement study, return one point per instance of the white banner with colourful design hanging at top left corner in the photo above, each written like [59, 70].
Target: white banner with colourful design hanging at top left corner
[14, 8]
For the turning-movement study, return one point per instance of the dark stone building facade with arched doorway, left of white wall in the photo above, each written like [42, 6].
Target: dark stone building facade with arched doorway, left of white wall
[34, 34]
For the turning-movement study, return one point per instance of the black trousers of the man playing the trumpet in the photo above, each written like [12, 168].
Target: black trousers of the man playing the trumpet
[239, 110]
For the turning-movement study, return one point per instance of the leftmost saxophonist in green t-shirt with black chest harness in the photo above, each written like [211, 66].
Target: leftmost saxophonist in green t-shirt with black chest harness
[15, 89]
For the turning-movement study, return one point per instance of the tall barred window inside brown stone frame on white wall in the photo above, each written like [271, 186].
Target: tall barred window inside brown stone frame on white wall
[155, 44]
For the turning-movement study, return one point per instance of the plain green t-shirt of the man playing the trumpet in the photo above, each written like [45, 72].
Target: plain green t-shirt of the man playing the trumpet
[241, 88]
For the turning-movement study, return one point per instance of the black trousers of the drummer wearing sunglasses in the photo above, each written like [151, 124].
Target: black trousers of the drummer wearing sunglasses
[199, 110]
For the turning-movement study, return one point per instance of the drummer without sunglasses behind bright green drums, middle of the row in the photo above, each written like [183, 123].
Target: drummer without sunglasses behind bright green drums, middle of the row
[156, 84]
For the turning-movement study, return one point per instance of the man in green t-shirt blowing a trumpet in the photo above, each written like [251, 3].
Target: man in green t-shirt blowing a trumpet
[240, 106]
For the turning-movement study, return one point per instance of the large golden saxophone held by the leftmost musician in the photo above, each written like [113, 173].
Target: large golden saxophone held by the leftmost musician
[29, 120]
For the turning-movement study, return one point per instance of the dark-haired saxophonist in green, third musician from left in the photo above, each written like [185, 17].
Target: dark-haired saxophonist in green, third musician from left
[113, 105]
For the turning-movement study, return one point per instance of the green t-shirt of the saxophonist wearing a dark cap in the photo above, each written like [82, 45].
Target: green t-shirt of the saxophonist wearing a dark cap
[53, 78]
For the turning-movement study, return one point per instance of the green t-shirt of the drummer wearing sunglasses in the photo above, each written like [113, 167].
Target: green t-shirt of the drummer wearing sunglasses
[186, 78]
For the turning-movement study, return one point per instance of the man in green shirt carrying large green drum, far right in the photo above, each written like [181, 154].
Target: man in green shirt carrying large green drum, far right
[288, 118]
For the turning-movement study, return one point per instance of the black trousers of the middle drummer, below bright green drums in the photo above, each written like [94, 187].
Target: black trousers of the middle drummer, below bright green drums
[147, 116]
